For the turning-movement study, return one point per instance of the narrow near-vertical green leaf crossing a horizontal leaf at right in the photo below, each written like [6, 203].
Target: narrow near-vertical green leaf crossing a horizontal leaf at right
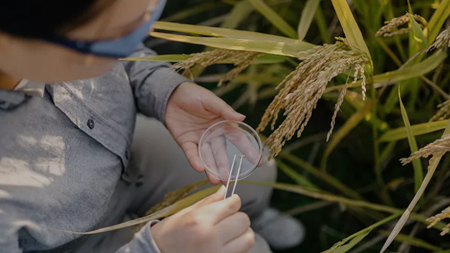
[418, 170]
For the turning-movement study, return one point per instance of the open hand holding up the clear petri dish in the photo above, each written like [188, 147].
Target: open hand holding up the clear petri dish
[190, 111]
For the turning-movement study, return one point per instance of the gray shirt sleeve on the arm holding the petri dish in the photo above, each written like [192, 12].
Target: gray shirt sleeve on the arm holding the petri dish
[152, 83]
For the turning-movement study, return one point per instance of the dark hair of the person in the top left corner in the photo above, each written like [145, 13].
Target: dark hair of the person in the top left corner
[44, 18]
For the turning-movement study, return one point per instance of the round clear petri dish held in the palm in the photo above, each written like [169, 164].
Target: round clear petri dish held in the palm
[227, 146]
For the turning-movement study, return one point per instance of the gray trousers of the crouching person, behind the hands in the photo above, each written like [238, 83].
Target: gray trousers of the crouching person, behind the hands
[160, 166]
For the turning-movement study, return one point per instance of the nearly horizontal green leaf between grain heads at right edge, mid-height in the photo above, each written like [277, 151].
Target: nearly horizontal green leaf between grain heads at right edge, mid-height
[419, 129]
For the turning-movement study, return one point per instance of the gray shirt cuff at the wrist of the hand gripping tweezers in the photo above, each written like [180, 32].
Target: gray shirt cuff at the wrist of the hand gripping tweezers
[142, 241]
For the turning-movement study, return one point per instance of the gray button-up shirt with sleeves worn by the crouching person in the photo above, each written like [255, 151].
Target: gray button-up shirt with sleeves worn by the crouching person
[64, 149]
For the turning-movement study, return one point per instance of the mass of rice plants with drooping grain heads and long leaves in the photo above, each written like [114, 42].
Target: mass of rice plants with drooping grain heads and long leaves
[375, 71]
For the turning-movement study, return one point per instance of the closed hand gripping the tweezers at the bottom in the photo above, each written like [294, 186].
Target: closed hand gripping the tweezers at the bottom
[211, 225]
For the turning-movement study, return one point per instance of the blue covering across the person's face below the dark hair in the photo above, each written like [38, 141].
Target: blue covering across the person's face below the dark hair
[117, 48]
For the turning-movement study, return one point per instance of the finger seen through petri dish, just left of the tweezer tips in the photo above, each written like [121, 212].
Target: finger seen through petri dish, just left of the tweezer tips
[219, 151]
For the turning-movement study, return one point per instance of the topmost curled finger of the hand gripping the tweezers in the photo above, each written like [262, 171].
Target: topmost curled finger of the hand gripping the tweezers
[222, 209]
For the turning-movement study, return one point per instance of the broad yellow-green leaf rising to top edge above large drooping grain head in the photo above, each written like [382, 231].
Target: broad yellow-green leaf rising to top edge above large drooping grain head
[349, 25]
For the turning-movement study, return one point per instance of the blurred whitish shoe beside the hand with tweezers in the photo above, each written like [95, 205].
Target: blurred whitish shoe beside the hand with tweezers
[280, 231]
